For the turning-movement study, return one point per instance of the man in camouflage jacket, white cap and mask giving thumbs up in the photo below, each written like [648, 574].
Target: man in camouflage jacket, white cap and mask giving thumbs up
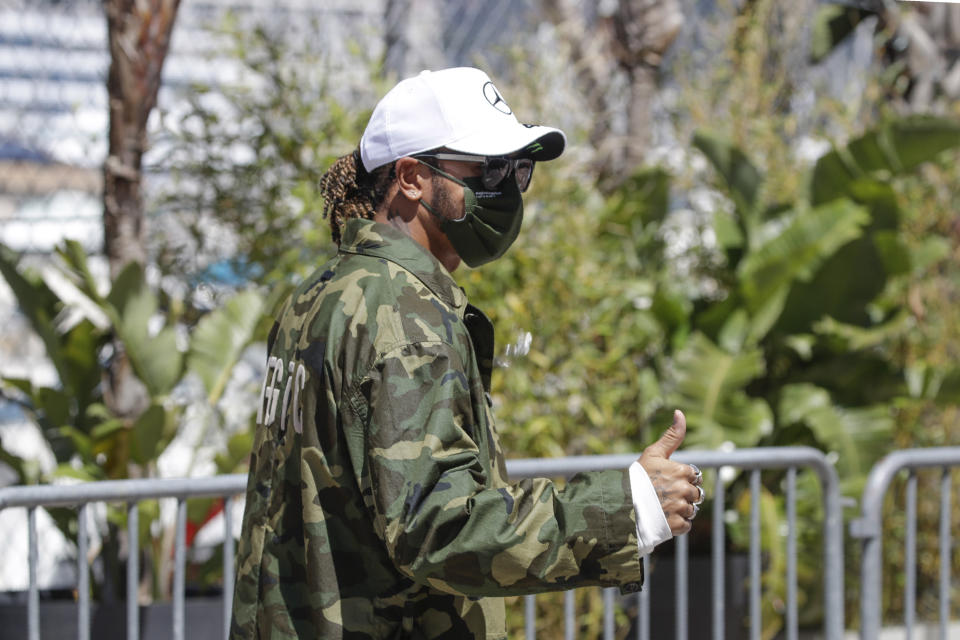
[378, 504]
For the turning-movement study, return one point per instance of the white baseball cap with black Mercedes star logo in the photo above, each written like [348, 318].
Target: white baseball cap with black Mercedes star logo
[459, 109]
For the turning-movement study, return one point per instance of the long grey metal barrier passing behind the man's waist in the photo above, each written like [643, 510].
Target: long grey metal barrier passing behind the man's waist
[131, 492]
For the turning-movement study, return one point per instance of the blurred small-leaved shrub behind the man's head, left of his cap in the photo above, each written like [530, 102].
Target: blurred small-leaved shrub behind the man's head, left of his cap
[246, 159]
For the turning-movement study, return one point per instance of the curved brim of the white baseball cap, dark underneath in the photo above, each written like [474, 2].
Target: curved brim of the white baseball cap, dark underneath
[522, 140]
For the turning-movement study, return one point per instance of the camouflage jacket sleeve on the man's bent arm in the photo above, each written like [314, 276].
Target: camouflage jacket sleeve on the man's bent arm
[424, 474]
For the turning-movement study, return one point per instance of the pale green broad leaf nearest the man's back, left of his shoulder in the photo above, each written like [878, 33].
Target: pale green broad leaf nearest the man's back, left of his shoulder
[220, 338]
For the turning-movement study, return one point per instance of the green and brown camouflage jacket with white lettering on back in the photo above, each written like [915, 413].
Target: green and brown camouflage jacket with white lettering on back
[377, 503]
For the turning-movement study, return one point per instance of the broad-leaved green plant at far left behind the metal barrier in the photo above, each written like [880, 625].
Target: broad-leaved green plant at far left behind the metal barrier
[80, 325]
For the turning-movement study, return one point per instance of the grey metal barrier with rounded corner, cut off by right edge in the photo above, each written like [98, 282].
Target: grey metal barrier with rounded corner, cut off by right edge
[869, 529]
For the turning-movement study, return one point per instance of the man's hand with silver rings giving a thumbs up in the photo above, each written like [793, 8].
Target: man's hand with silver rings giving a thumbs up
[677, 484]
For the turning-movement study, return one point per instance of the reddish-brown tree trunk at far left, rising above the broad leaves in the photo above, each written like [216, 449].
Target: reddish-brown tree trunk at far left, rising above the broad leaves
[138, 32]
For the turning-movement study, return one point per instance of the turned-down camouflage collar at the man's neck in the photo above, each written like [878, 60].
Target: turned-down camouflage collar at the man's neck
[369, 238]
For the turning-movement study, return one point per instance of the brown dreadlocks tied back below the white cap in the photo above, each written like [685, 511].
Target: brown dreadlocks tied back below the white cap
[349, 191]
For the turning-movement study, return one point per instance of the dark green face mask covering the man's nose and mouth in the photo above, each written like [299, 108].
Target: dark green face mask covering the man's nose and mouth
[491, 220]
